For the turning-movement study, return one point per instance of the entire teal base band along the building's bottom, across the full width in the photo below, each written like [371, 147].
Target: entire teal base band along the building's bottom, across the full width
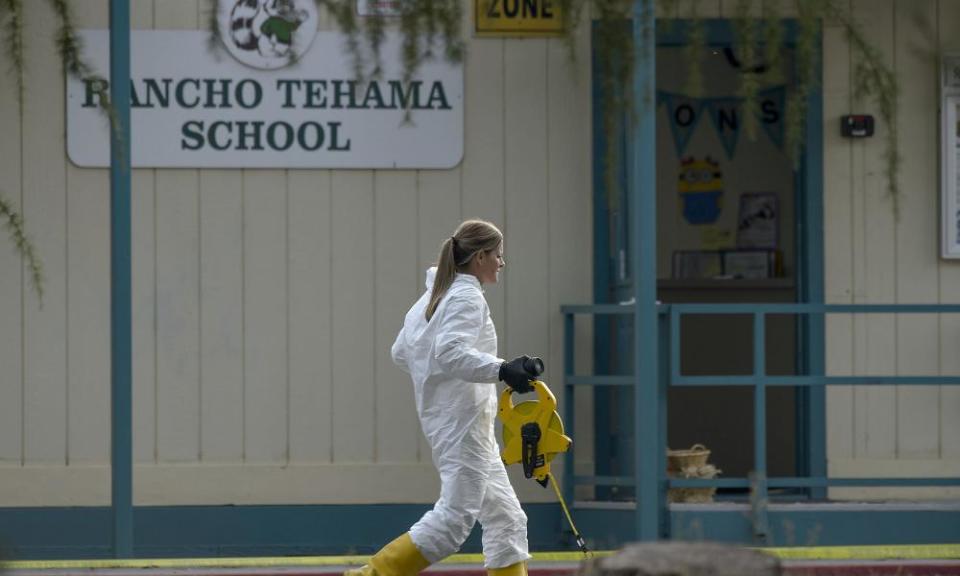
[244, 531]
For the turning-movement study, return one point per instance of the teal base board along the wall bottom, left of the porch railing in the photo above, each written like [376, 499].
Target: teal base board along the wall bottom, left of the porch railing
[202, 531]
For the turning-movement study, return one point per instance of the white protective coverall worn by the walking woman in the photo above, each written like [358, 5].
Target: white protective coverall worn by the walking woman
[454, 366]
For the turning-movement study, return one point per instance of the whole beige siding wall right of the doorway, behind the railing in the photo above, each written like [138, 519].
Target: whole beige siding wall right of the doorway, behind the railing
[874, 256]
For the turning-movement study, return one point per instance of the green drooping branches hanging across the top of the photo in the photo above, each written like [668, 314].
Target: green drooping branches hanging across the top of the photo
[433, 29]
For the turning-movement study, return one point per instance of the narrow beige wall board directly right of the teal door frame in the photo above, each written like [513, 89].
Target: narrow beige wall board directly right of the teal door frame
[837, 230]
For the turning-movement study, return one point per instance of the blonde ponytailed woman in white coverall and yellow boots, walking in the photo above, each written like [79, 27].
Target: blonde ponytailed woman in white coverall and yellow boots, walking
[448, 345]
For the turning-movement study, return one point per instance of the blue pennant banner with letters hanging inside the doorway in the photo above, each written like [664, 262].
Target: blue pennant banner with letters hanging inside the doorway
[726, 115]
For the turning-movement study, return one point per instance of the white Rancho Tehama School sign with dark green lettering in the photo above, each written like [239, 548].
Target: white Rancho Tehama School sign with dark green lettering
[283, 106]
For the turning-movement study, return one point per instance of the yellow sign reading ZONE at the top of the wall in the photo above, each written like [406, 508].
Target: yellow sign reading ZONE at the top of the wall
[517, 17]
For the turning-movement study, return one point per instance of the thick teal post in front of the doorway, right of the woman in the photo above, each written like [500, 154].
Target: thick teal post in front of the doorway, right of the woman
[644, 260]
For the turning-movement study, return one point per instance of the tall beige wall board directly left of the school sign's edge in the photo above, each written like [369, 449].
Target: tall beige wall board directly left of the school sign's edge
[45, 203]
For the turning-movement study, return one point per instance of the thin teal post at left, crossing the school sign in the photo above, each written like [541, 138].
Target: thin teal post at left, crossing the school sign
[120, 299]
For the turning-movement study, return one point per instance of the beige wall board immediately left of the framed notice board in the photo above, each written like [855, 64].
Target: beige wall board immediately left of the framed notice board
[917, 254]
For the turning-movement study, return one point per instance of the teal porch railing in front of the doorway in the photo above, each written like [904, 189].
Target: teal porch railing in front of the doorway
[669, 374]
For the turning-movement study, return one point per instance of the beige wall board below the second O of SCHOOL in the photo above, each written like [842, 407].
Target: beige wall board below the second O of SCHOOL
[311, 333]
